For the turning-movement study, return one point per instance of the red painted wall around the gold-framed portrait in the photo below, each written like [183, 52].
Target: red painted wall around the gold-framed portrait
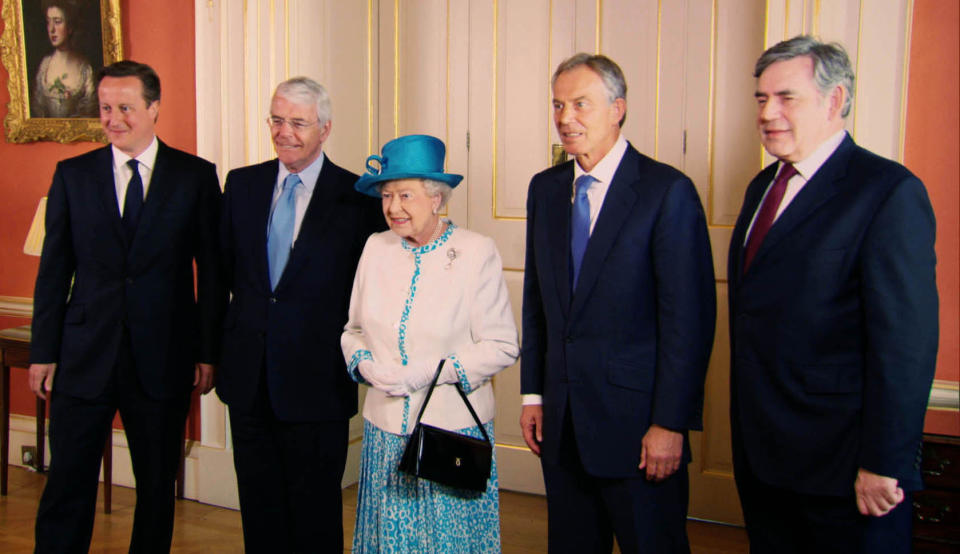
[160, 34]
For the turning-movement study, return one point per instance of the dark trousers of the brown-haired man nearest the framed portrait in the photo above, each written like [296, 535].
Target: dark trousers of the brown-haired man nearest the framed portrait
[78, 431]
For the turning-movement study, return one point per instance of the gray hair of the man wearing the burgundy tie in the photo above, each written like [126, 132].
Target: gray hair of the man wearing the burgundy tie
[831, 65]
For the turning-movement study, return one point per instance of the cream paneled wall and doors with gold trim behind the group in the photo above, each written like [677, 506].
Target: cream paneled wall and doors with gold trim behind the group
[481, 69]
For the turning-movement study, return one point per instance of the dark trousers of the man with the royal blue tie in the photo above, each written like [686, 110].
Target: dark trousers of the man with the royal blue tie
[585, 512]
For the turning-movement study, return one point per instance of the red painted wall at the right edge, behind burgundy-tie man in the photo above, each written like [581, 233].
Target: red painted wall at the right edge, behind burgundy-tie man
[932, 152]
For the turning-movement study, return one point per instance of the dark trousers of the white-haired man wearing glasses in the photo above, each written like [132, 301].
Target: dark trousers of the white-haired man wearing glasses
[289, 478]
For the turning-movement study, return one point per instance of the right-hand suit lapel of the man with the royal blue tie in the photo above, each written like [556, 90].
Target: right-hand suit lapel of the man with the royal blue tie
[617, 206]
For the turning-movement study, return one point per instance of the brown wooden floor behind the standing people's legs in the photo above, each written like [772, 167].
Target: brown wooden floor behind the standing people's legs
[206, 529]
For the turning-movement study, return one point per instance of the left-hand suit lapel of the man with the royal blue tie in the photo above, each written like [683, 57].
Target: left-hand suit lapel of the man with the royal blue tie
[558, 224]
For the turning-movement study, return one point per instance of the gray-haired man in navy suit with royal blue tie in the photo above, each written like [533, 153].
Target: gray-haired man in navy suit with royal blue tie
[619, 309]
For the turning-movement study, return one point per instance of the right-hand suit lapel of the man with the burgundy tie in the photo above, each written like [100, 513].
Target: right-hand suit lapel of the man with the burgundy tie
[818, 190]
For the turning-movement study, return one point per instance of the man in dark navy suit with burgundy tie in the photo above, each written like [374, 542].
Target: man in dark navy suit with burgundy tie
[833, 321]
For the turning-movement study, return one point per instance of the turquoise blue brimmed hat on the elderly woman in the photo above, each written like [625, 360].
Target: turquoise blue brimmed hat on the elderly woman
[409, 157]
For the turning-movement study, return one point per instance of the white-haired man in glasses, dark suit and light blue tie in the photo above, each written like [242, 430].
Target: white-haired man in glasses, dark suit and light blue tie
[292, 232]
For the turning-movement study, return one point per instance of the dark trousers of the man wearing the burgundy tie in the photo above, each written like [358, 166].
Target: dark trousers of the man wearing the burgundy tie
[786, 522]
